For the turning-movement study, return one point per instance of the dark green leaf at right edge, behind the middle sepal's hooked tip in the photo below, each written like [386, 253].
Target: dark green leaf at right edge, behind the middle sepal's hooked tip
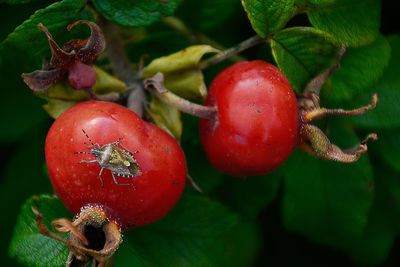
[386, 115]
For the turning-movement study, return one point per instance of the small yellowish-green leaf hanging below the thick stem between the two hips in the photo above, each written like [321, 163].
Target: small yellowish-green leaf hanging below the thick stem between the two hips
[166, 117]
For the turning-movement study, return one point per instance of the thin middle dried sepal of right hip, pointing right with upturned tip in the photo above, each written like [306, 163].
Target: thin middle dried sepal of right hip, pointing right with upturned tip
[319, 113]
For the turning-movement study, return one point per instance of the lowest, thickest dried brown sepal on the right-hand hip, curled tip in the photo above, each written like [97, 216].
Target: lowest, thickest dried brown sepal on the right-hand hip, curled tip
[317, 144]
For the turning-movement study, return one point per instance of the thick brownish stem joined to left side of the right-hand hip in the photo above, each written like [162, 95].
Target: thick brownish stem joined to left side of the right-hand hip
[156, 85]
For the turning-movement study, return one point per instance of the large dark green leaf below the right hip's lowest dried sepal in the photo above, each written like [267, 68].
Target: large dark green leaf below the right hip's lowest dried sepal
[328, 202]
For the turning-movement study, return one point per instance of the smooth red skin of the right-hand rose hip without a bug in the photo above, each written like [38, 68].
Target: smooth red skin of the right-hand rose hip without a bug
[258, 117]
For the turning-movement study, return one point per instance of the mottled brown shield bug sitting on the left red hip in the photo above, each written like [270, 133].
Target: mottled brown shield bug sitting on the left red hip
[119, 161]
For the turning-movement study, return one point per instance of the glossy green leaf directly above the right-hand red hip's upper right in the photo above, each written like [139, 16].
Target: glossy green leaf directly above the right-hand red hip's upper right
[302, 53]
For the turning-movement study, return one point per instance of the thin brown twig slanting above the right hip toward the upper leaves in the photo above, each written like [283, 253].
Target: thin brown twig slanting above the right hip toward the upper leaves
[252, 41]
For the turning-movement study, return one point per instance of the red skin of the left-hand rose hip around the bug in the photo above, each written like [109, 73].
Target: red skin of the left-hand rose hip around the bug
[160, 158]
